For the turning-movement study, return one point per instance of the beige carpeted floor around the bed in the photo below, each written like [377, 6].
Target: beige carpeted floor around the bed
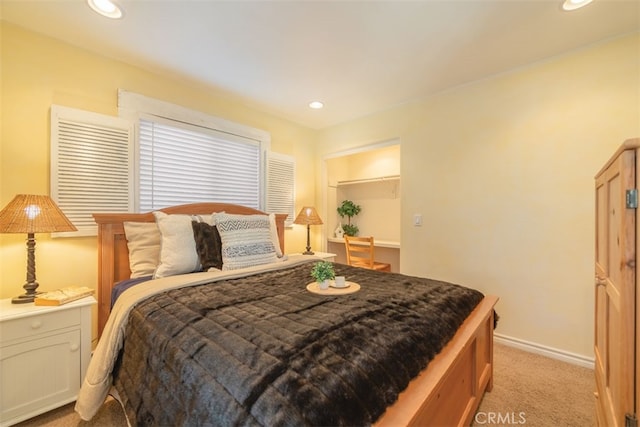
[528, 389]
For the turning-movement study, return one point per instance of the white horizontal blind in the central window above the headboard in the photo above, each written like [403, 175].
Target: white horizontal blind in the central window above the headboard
[181, 163]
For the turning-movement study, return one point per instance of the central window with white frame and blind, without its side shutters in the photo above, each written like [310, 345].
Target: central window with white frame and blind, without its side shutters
[187, 156]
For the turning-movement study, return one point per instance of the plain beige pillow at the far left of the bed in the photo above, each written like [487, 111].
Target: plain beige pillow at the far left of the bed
[143, 241]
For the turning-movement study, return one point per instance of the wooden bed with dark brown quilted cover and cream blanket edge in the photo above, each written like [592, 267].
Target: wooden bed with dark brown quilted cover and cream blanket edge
[445, 392]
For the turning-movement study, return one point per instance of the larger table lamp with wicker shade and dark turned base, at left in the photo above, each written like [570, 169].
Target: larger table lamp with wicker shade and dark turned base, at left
[32, 214]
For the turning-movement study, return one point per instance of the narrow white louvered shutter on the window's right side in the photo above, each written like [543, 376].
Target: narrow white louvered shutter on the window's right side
[280, 186]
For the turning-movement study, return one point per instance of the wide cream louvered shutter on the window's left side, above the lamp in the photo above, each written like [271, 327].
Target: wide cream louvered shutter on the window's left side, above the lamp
[91, 165]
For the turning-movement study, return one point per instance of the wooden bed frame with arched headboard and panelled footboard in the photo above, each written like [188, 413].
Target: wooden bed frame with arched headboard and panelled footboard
[448, 392]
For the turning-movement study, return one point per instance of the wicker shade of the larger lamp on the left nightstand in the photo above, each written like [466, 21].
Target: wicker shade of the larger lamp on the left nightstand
[28, 213]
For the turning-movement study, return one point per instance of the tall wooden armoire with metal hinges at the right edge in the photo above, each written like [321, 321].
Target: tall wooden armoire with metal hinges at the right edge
[617, 289]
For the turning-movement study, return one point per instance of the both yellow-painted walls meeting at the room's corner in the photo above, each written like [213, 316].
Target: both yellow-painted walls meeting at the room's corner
[501, 170]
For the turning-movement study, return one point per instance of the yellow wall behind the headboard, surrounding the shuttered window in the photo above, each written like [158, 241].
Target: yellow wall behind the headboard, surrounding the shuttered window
[37, 72]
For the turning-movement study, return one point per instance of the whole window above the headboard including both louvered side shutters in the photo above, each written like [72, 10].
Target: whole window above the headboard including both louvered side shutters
[158, 154]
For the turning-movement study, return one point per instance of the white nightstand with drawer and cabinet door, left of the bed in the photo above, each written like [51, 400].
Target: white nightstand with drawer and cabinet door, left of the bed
[44, 354]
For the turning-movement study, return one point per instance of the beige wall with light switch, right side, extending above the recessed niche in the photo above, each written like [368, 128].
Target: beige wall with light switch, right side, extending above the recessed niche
[502, 171]
